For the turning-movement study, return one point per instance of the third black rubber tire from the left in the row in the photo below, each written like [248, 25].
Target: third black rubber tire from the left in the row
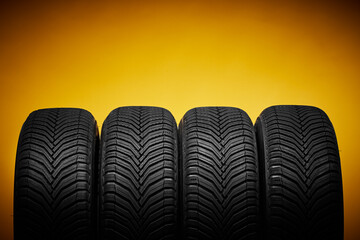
[219, 171]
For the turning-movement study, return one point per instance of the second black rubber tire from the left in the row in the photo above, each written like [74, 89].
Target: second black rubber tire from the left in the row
[138, 174]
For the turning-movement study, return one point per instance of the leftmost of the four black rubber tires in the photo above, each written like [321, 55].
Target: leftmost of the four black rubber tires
[54, 186]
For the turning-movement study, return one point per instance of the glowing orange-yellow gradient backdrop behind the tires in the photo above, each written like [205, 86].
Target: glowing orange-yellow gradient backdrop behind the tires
[100, 55]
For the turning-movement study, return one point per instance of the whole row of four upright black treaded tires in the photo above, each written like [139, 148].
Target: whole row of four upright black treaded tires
[216, 176]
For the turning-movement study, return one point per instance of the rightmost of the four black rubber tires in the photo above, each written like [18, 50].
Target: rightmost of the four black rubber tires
[301, 177]
